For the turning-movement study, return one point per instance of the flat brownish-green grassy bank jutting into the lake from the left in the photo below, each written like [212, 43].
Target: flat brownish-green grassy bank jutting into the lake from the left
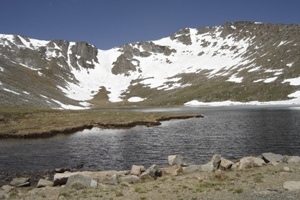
[26, 122]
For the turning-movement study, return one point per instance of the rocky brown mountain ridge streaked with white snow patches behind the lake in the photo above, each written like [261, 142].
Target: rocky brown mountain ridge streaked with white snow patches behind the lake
[241, 61]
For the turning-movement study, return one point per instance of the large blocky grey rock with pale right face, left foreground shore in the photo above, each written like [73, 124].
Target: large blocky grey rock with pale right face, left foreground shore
[78, 181]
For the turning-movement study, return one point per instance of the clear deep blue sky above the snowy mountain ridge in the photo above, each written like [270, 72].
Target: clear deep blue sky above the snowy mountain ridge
[111, 23]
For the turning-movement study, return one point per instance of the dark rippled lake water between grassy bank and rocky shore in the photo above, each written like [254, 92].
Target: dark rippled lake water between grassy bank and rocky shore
[232, 132]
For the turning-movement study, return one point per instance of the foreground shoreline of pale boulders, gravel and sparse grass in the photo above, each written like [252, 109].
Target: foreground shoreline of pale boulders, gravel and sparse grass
[268, 176]
